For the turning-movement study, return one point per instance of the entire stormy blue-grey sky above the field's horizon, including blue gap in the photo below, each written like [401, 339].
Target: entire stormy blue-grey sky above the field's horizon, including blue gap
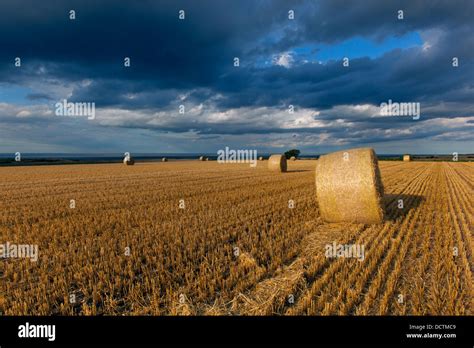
[285, 64]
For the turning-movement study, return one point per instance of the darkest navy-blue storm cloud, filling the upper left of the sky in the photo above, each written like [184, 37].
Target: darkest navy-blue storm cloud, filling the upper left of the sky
[162, 48]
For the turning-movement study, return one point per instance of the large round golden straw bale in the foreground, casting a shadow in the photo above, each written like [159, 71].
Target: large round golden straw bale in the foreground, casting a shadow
[349, 187]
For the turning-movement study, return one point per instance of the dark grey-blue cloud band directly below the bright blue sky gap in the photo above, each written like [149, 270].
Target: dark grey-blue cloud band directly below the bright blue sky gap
[403, 75]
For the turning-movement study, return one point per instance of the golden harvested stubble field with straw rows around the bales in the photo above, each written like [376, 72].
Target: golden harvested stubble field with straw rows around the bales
[204, 238]
